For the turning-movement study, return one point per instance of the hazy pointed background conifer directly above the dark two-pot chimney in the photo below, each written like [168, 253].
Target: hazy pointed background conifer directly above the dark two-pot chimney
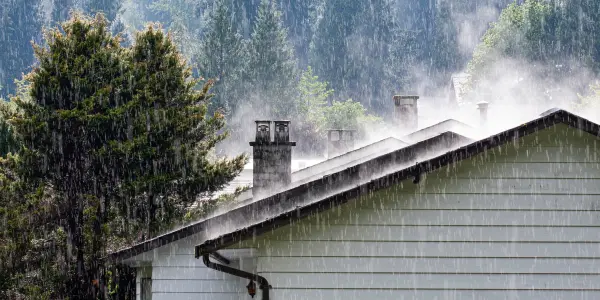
[272, 68]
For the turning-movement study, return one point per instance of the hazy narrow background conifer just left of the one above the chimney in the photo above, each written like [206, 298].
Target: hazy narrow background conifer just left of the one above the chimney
[222, 57]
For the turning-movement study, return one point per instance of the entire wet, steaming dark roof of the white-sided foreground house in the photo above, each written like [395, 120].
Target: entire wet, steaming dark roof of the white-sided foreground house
[387, 169]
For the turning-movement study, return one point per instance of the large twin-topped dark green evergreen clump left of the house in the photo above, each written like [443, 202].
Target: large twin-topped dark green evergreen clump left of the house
[115, 135]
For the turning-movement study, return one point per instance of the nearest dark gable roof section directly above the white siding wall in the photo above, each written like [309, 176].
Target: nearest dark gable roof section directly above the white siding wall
[275, 217]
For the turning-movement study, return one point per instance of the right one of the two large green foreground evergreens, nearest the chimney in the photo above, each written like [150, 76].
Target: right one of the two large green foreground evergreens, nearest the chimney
[176, 169]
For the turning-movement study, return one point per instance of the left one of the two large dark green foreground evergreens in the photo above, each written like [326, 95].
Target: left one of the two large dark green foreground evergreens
[64, 127]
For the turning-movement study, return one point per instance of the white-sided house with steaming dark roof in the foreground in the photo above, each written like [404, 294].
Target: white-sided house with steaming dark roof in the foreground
[514, 215]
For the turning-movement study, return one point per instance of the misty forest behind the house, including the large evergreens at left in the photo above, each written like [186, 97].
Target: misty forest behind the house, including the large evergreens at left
[118, 115]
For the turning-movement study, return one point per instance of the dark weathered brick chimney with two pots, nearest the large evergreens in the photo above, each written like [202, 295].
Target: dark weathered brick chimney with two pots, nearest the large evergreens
[272, 159]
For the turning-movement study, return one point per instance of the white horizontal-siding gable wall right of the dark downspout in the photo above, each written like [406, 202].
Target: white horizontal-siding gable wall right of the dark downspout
[520, 221]
